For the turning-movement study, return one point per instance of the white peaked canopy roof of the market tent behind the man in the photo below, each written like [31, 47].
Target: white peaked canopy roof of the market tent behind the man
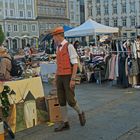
[90, 27]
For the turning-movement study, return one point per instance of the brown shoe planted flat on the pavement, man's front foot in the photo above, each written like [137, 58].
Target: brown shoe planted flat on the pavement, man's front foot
[62, 126]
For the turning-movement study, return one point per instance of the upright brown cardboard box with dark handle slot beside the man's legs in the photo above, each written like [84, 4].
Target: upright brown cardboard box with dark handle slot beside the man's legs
[53, 108]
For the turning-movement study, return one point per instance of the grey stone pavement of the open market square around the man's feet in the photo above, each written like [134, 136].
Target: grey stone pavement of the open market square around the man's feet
[112, 114]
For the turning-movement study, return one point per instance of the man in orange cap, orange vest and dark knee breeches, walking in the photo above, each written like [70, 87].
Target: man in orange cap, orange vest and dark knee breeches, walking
[65, 78]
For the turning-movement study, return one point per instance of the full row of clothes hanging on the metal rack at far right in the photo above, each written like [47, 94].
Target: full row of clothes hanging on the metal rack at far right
[122, 62]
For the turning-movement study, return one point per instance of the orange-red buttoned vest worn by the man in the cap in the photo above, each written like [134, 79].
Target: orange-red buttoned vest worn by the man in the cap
[63, 61]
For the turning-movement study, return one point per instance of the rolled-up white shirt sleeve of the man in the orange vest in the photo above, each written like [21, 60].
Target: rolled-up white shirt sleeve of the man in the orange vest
[73, 54]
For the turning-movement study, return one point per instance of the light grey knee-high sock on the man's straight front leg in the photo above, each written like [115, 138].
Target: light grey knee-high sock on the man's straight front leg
[64, 113]
